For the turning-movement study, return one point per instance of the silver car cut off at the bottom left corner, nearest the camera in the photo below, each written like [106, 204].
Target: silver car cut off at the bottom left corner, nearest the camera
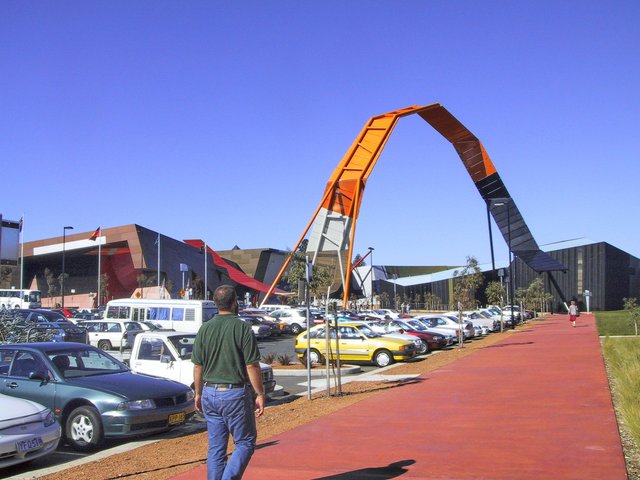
[27, 431]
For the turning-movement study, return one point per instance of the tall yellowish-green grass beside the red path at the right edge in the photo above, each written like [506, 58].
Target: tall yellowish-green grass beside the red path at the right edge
[623, 362]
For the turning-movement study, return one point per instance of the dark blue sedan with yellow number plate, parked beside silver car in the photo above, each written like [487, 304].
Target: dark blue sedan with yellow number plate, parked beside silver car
[93, 395]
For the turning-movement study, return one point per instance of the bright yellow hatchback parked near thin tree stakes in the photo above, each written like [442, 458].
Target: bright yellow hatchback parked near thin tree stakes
[357, 342]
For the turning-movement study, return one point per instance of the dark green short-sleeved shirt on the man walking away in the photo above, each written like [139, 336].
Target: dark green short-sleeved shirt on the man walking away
[224, 346]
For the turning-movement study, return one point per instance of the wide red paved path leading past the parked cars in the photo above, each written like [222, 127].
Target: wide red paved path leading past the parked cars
[534, 406]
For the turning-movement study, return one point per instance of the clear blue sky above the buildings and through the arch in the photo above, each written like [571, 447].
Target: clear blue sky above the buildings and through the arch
[223, 120]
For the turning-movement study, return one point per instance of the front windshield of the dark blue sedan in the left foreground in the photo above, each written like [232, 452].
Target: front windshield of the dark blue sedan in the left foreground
[84, 362]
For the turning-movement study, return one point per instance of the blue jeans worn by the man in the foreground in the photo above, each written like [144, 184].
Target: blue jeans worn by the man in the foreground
[229, 412]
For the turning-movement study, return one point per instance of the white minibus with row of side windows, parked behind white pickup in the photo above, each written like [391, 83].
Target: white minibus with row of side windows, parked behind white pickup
[179, 315]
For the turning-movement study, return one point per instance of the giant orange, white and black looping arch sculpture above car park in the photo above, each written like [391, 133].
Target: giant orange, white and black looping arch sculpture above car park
[333, 224]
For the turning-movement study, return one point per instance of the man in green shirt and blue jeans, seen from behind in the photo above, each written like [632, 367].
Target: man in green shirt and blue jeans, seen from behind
[228, 386]
